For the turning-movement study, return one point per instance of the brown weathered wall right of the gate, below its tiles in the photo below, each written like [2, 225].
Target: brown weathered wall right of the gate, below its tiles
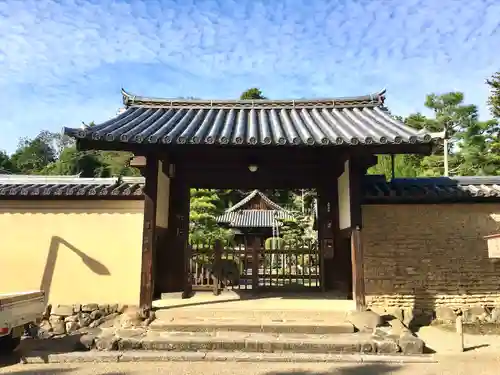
[428, 256]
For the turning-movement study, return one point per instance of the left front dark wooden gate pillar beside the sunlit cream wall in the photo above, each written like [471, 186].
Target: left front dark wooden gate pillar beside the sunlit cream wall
[149, 169]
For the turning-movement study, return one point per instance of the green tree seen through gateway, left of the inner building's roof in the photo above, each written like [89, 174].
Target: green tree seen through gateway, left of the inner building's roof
[205, 206]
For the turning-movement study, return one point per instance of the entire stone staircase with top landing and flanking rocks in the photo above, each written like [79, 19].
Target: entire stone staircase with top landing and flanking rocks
[245, 326]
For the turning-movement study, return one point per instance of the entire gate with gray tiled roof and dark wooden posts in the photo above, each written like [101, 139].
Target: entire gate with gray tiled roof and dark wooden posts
[219, 162]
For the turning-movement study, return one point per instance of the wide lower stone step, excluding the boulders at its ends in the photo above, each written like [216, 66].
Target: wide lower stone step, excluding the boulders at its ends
[255, 342]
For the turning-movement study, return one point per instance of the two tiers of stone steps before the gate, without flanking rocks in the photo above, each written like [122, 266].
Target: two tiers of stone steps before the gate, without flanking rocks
[263, 331]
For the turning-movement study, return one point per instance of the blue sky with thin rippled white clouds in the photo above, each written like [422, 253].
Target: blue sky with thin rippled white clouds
[64, 62]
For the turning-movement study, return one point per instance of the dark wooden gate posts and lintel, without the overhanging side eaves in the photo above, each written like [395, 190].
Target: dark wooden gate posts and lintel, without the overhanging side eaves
[228, 168]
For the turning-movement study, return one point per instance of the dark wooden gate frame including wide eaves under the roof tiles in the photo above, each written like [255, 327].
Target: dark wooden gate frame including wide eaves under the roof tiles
[301, 167]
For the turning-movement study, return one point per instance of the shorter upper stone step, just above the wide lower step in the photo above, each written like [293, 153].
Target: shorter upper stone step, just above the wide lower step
[251, 326]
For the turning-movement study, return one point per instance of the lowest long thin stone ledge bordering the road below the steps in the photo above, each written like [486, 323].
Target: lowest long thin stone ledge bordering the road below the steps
[167, 356]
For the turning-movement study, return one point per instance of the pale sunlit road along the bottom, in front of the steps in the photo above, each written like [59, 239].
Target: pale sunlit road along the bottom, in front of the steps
[448, 366]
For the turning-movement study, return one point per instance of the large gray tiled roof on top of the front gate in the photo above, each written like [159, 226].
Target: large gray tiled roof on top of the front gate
[358, 120]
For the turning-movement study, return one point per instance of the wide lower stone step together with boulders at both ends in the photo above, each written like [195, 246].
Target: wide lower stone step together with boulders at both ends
[144, 339]
